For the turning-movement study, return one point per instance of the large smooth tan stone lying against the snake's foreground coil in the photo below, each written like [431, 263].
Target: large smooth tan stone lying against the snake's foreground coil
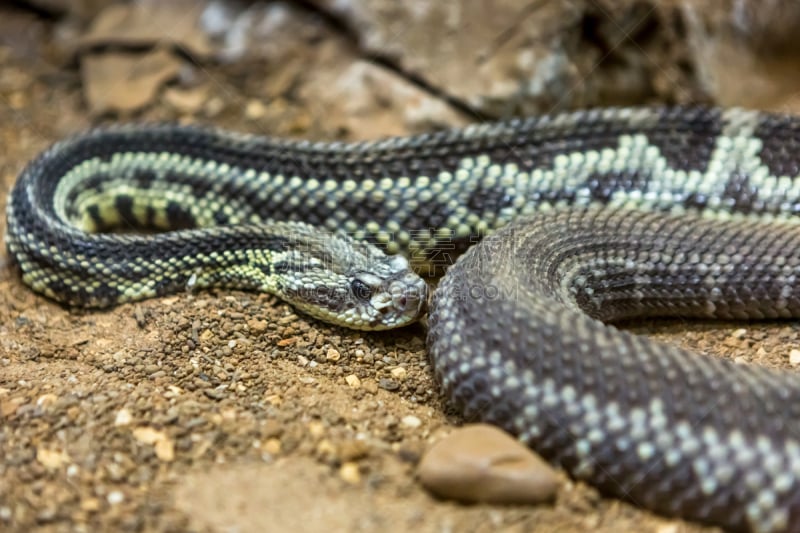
[481, 463]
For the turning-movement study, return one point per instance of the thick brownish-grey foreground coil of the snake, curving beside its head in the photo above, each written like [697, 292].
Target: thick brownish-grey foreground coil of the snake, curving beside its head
[516, 332]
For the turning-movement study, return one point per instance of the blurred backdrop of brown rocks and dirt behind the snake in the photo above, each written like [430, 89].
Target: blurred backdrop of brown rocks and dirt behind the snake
[363, 68]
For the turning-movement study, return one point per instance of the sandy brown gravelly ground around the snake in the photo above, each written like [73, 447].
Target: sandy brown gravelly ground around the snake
[227, 411]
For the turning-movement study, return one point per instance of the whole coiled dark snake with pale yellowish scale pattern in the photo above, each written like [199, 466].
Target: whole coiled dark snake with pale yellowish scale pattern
[549, 230]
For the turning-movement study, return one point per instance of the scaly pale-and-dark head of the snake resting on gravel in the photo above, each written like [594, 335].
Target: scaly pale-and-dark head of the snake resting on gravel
[352, 283]
